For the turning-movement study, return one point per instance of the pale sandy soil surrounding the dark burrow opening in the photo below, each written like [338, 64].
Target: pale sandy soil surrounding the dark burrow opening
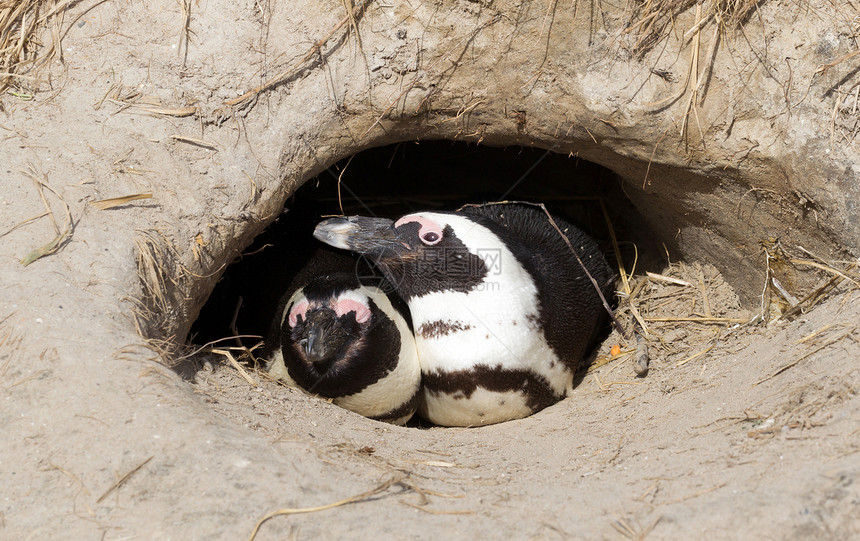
[738, 432]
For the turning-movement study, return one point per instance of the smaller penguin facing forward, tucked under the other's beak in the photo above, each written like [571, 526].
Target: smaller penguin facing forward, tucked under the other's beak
[342, 340]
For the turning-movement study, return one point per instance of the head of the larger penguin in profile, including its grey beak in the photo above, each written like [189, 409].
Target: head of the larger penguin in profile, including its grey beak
[420, 253]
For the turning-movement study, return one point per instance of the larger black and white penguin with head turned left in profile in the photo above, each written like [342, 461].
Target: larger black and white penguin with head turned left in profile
[502, 311]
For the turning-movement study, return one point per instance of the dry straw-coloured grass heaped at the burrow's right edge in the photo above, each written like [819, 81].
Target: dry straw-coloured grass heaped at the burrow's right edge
[689, 310]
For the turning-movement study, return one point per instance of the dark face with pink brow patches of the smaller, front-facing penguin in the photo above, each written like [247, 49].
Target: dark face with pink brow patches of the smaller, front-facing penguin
[323, 327]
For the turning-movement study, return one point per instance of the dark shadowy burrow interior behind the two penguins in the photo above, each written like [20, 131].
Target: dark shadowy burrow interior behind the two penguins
[408, 177]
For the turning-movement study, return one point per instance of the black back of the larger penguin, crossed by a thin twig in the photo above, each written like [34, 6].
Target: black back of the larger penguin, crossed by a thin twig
[570, 311]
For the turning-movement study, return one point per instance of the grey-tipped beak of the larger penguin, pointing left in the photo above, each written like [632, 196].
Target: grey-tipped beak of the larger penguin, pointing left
[371, 236]
